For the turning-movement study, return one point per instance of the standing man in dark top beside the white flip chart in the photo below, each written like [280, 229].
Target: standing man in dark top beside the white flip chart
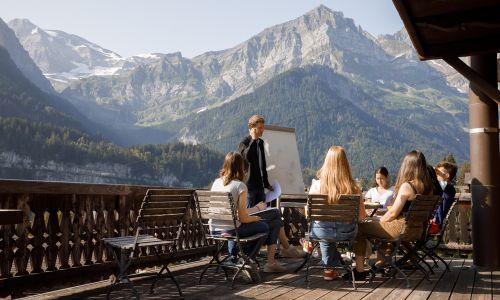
[252, 149]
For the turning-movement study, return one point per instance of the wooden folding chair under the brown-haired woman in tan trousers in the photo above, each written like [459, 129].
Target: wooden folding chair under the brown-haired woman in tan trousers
[416, 219]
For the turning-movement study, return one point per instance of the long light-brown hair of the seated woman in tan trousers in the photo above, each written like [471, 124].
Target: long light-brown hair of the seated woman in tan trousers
[414, 170]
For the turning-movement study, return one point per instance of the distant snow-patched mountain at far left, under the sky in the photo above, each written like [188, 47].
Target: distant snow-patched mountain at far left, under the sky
[67, 57]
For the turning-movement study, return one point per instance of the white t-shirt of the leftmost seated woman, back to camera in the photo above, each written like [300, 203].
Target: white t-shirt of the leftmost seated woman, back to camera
[235, 187]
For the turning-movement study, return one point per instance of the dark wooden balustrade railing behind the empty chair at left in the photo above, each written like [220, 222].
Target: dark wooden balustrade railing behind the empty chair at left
[63, 225]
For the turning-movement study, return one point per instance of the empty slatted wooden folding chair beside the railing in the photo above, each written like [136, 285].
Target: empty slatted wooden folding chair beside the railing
[161, 208]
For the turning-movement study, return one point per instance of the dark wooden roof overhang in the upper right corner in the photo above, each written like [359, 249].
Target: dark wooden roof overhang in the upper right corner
[444, 28]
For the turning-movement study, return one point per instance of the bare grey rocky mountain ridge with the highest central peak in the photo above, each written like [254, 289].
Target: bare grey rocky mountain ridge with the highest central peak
[173, 86]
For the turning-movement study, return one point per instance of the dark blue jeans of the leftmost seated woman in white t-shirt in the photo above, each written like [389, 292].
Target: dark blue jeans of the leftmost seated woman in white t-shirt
[246, 230]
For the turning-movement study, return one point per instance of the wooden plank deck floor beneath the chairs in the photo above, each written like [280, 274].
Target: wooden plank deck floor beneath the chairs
[462, 282]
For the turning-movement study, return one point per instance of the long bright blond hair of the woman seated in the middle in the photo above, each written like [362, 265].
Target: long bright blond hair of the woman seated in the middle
[336, 176]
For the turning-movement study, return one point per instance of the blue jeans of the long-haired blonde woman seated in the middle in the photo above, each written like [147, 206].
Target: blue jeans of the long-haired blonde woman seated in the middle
[331, 232]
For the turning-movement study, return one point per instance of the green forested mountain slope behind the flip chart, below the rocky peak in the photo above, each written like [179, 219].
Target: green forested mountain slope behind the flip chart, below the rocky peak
[376, 125]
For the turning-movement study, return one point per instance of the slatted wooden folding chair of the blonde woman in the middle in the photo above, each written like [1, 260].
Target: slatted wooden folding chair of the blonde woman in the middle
[345, 210]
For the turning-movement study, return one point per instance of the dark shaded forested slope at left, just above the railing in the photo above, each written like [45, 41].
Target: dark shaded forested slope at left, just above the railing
[45, 138]
